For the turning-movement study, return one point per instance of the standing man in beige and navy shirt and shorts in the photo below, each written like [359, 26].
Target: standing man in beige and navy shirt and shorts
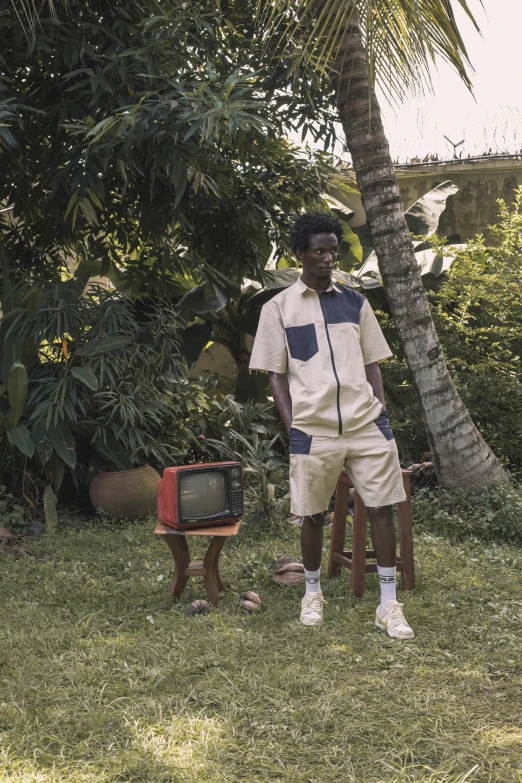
[320, 344]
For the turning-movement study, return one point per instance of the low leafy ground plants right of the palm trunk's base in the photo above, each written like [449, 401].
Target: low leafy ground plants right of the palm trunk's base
[492, 514]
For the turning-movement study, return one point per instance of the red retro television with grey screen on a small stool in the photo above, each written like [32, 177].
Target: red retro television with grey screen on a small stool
[202, 495]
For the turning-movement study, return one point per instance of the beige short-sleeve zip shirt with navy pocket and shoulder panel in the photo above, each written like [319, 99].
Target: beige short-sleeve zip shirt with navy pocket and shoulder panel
[322, 342]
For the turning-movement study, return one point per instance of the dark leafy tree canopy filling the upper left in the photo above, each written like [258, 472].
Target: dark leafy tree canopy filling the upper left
[143, 138]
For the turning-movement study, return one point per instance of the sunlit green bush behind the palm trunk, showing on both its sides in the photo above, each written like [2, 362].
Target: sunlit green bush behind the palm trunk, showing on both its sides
[478, 313]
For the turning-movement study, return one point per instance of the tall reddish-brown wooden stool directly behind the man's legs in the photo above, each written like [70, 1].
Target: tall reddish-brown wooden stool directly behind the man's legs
[356, 559]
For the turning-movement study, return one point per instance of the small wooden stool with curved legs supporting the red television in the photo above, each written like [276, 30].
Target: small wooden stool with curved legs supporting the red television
[176, 541]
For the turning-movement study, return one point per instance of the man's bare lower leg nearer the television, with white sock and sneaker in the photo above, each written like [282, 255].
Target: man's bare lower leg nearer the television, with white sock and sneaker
[312, 549]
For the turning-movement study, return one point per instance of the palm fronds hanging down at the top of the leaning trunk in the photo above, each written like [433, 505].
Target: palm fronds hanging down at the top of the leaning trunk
[402, 37]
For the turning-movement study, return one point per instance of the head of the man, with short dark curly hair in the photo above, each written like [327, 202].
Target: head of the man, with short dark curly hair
[315, 239]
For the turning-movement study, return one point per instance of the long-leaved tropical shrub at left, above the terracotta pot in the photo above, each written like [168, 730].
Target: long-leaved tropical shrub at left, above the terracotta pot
[94, 377]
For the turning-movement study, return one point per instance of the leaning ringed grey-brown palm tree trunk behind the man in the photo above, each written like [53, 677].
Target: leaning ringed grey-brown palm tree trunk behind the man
[461, 455]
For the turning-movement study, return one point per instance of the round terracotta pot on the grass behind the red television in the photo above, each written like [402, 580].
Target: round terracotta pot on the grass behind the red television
[126, 493]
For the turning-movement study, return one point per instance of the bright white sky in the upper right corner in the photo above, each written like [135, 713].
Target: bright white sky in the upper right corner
[489, 119]
